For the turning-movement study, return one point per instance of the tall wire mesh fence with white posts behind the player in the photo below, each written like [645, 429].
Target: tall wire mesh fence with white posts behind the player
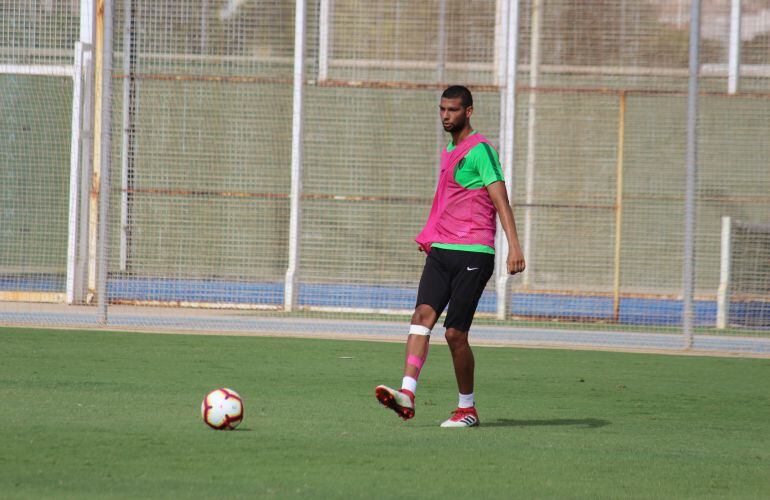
[251, 180]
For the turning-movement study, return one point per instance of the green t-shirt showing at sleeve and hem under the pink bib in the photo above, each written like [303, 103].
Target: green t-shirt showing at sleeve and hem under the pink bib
[479, 169]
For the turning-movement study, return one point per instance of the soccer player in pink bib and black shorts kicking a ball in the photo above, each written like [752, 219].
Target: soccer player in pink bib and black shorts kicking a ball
[459, 240]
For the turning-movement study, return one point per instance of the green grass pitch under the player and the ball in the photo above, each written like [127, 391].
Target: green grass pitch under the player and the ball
[104, 414]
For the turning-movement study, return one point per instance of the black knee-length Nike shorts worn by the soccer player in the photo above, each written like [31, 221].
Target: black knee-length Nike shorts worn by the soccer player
[457, 278]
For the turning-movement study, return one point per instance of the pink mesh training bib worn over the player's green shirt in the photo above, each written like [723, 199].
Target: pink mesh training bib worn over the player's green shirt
[459, 215]
